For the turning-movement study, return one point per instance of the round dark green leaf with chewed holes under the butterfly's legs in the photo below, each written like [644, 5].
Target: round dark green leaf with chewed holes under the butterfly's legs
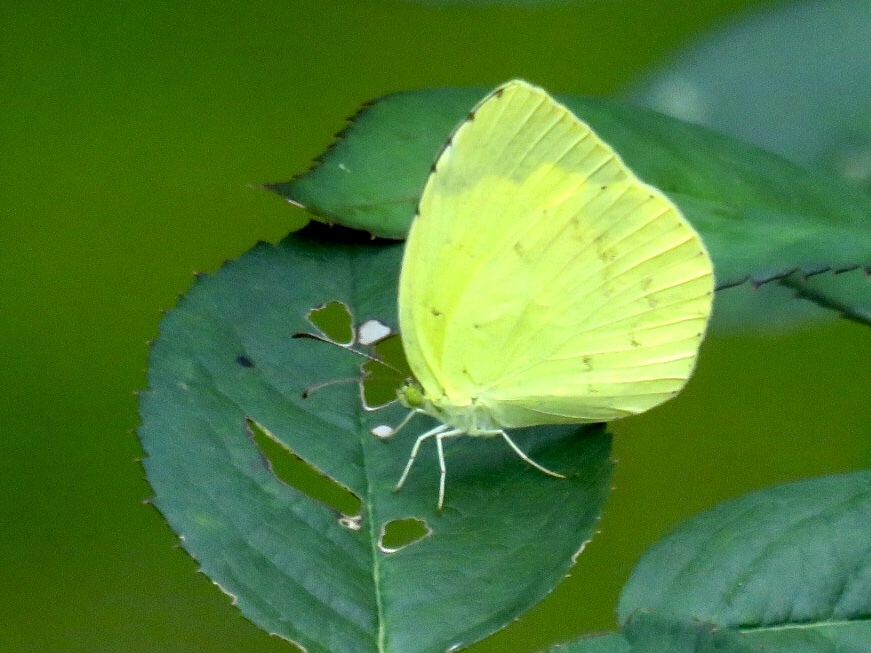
[226, 374]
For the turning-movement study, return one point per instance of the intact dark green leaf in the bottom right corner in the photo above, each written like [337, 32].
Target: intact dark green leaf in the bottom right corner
[786, 564]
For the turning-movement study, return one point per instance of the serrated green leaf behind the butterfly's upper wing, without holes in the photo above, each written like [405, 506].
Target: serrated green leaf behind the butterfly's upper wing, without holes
[761, 216]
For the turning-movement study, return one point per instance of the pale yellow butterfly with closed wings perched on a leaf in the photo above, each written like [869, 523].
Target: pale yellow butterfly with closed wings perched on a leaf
[542, 281]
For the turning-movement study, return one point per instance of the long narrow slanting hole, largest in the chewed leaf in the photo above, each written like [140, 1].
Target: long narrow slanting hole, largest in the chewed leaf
[289, 468]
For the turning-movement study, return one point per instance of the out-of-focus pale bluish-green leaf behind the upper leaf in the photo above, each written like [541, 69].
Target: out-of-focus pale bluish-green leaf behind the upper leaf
[778, 77]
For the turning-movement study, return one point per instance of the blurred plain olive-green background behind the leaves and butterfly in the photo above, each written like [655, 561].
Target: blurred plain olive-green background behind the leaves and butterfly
[132, 140]
